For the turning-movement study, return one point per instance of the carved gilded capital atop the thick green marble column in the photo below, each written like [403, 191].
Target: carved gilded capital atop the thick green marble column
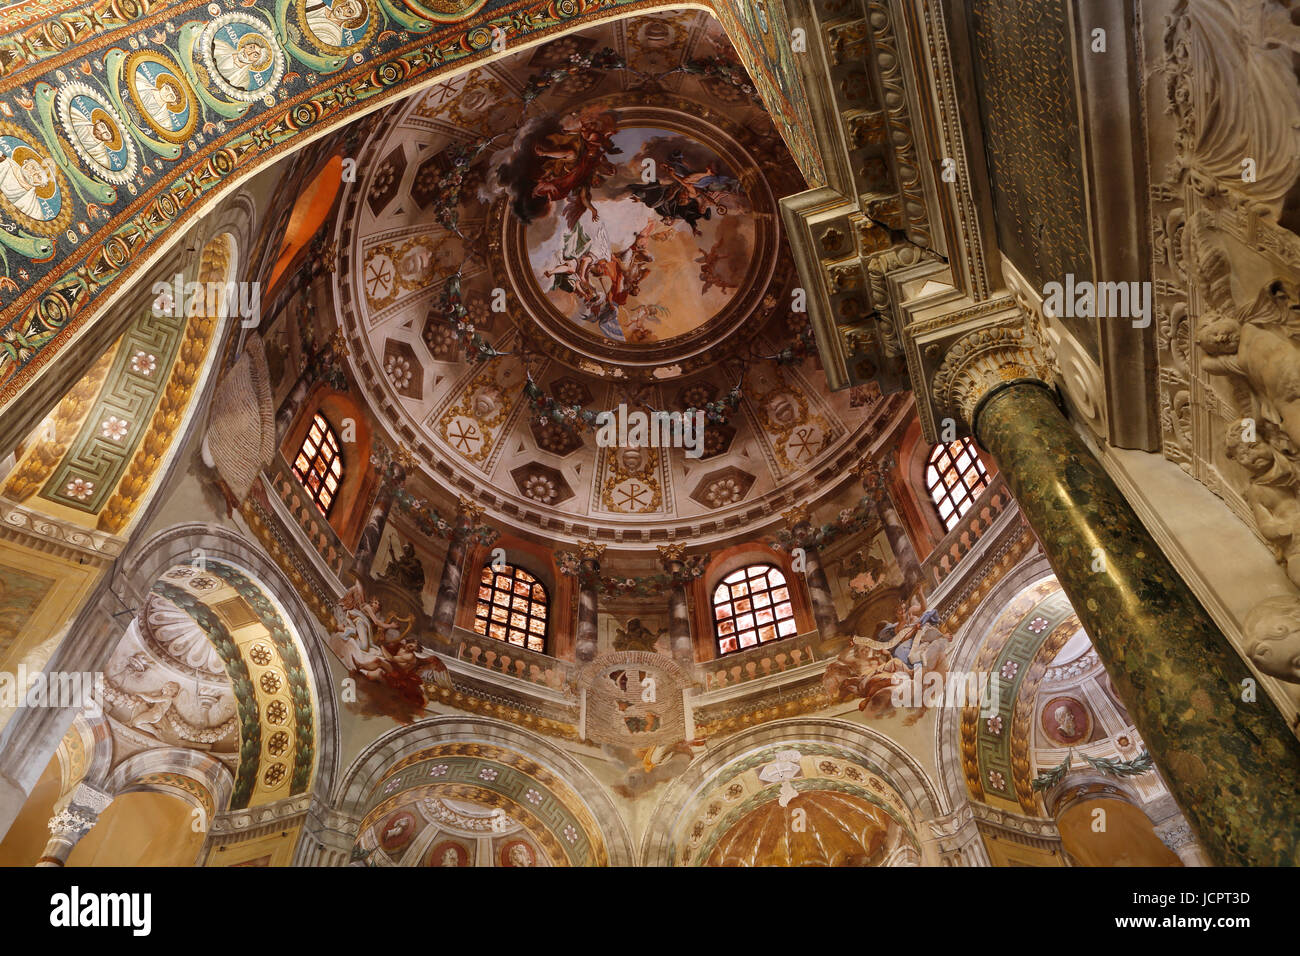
[980, 362]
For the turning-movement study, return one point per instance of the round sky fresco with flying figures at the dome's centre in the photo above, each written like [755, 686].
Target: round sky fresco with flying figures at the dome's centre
[636, 235]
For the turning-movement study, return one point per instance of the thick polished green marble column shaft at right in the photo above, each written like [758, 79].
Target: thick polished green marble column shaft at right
[1234, 767]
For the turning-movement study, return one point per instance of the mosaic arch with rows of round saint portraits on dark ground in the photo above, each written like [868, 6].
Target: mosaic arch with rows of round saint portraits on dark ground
[120, 120]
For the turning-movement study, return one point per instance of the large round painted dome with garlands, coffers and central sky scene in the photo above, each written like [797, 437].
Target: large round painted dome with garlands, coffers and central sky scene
[580, 228]
